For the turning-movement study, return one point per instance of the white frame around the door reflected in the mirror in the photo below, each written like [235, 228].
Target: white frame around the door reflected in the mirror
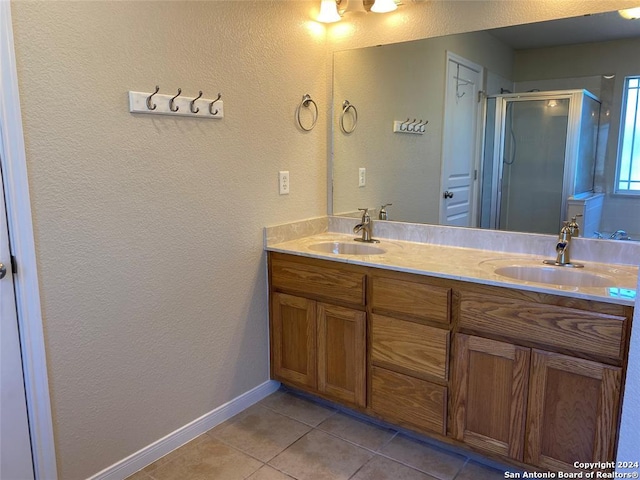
[477, 141]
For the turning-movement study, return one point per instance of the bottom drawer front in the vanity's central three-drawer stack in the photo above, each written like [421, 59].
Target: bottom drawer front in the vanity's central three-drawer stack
[408, 401]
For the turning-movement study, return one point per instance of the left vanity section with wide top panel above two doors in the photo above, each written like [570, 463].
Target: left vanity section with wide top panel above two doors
[316, 345]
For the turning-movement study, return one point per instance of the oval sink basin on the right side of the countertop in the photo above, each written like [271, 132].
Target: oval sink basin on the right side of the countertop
[555, 276]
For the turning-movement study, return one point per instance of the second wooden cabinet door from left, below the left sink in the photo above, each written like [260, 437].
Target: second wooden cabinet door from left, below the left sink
[342, 353]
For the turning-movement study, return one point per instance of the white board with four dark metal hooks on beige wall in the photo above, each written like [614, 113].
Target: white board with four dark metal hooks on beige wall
[176, 104]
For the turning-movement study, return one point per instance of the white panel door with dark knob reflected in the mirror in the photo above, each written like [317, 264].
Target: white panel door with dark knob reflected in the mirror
[460, 142]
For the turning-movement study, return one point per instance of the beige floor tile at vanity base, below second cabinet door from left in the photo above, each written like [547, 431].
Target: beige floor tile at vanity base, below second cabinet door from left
[361, 433]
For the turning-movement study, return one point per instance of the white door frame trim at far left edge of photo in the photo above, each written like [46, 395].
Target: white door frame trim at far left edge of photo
[19, 219]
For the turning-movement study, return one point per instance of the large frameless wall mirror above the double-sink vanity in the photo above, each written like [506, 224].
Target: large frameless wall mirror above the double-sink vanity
[522, 133]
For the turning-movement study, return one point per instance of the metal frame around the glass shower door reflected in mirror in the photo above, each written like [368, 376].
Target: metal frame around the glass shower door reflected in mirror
[571, 145]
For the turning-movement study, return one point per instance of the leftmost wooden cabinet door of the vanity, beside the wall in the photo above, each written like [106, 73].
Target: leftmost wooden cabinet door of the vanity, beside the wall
[293, 339]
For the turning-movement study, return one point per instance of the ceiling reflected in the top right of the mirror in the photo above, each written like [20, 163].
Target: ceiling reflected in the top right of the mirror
[599, 27]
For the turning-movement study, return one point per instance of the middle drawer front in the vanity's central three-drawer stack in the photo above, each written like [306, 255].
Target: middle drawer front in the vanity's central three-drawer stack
[414, 347]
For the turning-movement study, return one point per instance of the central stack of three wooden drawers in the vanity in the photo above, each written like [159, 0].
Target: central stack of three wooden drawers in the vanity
[409, 356]
